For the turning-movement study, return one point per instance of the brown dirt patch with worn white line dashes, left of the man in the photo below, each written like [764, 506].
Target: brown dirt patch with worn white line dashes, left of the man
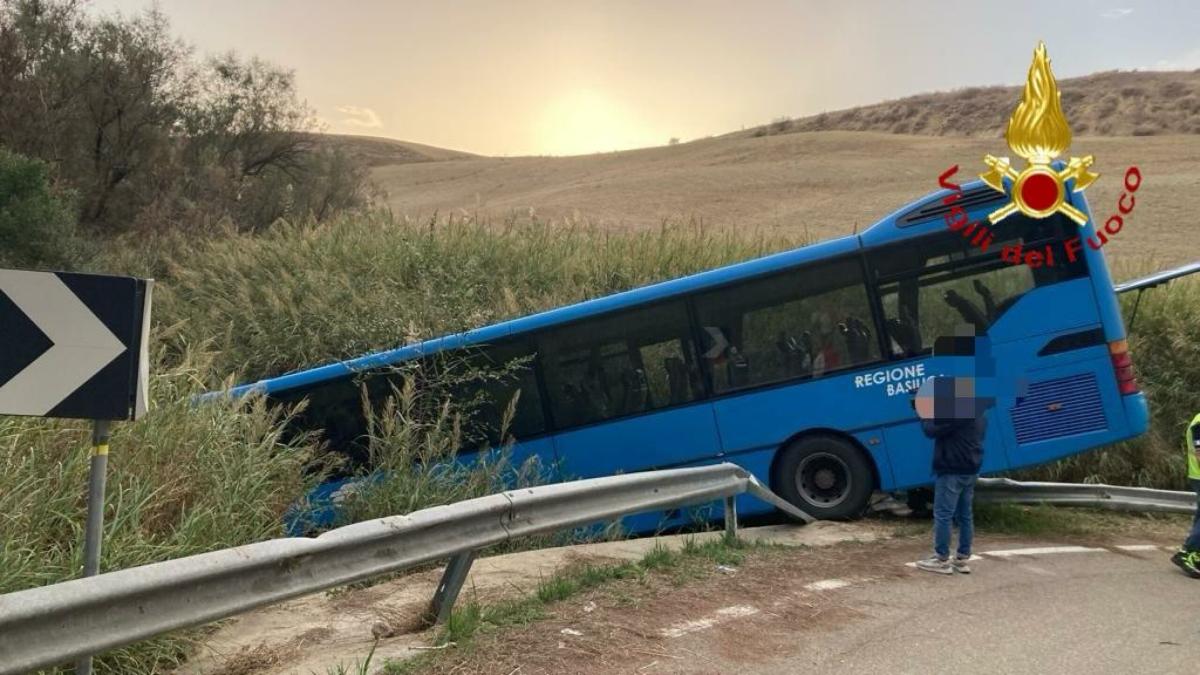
[663, 622]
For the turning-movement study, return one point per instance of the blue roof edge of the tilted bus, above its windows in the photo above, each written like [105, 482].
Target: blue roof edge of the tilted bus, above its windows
[915, 219]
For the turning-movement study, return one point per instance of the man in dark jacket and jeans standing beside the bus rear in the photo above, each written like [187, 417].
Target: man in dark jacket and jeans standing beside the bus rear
[955, 420]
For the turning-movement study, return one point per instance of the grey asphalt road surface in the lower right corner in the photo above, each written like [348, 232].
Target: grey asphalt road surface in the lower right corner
[1096, 613]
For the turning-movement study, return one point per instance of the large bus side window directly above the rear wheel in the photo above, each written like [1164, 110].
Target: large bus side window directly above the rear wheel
[801, 324]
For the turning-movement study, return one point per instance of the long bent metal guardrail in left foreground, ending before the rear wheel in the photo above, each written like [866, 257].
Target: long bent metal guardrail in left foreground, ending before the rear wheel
[56, 624]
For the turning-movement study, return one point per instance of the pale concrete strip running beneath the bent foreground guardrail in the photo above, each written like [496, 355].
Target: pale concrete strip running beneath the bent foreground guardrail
[315, 634]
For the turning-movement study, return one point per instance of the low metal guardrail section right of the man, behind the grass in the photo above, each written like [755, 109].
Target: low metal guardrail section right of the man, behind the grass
[1077, 494]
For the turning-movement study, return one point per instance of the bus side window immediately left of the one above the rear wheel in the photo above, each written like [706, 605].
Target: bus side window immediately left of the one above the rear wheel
[622, 365]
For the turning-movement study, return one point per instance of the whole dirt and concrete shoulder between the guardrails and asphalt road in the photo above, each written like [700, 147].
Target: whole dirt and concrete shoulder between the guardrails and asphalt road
[775, 589]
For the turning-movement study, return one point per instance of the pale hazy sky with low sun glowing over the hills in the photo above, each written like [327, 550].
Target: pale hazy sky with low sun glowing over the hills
[566, 77]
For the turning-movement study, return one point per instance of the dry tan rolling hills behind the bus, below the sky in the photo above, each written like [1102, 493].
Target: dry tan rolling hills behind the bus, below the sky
[821, 182]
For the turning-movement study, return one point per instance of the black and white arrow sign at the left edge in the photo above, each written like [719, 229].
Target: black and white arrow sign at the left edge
[74, 345]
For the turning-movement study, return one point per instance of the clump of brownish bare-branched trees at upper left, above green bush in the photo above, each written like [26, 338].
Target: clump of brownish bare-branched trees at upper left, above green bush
[149, 138]
